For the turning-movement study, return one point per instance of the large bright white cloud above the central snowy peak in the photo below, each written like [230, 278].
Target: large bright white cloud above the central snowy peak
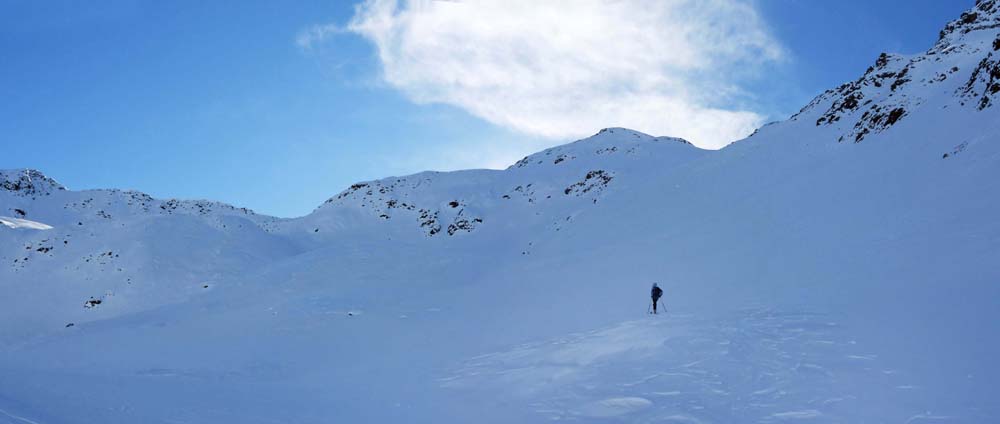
[566, 68]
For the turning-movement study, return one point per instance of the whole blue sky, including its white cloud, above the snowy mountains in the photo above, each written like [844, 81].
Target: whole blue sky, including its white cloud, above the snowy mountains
[277, 106]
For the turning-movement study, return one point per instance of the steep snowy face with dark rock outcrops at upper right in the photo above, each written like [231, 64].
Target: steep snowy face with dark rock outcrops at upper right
[961, 69]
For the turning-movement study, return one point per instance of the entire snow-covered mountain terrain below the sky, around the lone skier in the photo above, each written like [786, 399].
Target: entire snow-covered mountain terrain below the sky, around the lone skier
[839, 266]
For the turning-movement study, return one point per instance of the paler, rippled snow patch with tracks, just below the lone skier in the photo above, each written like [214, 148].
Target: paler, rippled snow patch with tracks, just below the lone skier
[757, 365]
